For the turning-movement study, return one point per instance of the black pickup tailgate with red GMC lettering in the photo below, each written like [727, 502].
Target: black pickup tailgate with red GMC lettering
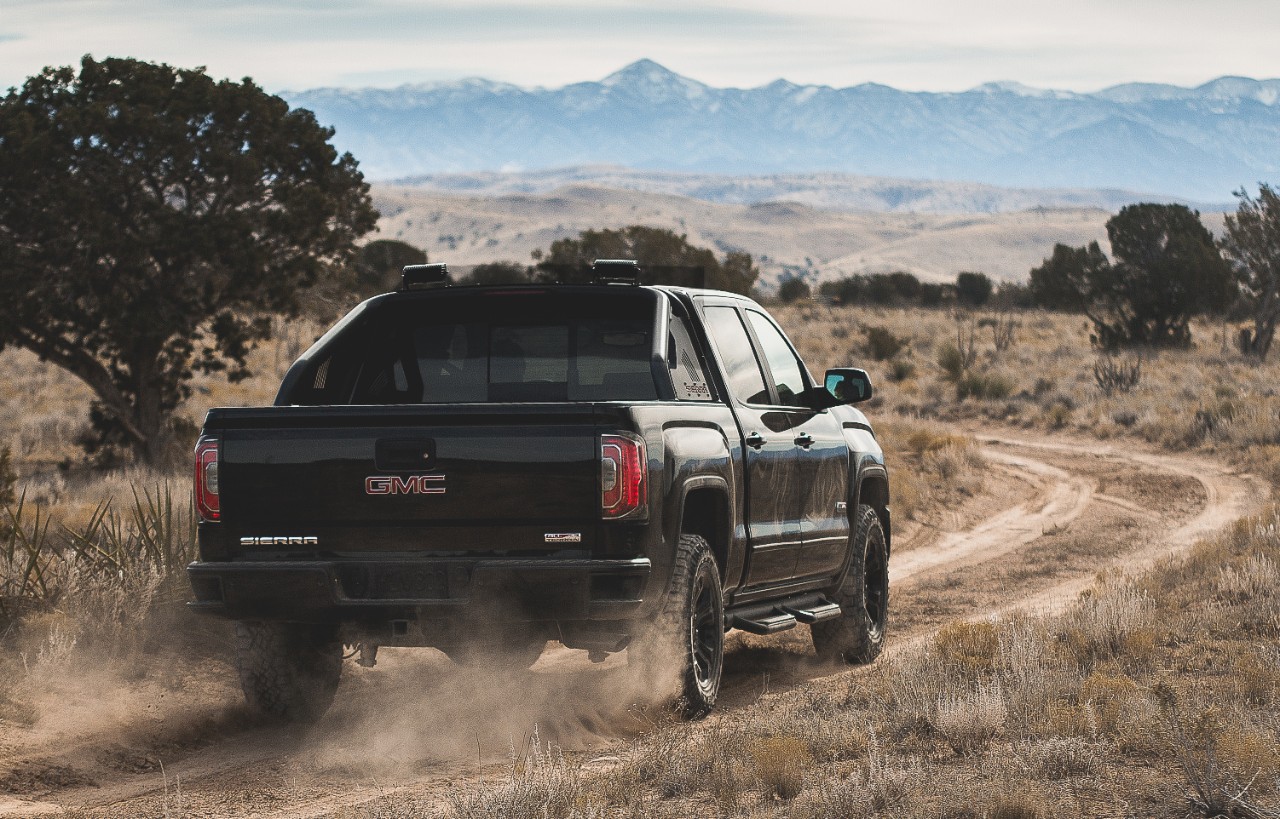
[359, 469]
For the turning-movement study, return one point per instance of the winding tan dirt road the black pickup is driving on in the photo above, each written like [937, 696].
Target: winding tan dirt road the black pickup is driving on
[1053, 514]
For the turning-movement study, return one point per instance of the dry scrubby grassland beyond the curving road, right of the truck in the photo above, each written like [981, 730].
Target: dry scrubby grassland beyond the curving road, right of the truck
[1208, 397]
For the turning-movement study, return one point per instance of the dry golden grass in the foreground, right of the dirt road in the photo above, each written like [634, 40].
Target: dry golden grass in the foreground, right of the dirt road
[1021, 717]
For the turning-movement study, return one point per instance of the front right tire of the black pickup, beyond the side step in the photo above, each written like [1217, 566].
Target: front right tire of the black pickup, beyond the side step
[858, 635]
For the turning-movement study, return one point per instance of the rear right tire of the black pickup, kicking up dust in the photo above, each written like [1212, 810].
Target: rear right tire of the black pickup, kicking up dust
[689, 632]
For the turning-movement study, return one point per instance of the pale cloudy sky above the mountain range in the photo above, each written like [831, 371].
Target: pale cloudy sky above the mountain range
[916, 45]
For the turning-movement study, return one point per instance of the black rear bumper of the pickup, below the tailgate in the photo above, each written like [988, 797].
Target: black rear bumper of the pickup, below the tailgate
[458, 589]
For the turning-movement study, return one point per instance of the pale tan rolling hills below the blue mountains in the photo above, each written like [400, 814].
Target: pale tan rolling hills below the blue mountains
[787, 237]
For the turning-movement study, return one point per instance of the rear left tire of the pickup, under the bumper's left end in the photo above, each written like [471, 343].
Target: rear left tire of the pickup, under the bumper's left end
[289, 671]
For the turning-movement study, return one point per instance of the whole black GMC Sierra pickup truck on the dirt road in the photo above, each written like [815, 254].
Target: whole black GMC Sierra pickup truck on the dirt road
[486, 469]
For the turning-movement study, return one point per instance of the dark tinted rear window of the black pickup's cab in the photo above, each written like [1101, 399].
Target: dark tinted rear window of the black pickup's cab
[492, 349]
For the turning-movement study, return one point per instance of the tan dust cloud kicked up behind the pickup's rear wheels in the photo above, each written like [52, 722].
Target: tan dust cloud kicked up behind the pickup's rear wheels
[418, 710]
